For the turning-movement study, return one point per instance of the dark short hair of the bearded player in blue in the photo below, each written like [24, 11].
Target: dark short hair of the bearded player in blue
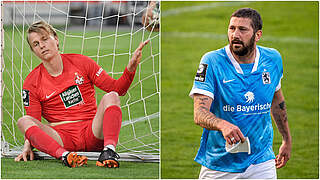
[256, 21]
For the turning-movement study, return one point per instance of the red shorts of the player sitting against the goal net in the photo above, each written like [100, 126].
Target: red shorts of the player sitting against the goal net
[78, 136]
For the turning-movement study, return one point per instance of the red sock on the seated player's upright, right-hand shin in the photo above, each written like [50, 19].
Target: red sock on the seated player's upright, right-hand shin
[112, 120]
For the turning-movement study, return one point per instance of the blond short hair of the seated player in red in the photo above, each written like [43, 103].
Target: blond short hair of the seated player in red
[39, 27]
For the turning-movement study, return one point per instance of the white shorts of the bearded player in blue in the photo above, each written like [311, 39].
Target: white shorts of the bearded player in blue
[265, 170]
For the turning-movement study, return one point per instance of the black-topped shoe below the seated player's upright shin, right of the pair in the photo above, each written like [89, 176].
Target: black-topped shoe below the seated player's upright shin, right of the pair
[108, 158]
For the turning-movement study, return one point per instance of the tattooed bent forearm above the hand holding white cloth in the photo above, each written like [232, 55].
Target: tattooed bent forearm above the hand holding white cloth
[202, 116]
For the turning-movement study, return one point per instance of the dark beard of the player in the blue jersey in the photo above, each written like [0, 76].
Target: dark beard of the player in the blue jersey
[245, 49]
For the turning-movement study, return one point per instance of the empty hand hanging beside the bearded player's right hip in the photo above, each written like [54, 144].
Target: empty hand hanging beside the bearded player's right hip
[284, 154]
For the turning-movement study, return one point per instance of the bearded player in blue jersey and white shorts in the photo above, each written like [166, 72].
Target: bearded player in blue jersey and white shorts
[236, 88]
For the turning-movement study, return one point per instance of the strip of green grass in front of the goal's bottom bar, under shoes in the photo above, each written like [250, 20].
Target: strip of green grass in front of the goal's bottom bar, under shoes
[54, 169]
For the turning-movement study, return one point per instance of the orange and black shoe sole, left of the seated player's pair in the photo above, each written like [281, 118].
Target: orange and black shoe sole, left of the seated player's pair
[72, 160]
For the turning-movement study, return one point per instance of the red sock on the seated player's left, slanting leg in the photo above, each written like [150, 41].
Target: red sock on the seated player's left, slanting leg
[43, 142]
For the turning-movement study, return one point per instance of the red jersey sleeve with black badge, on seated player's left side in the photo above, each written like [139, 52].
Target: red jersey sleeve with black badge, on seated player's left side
[31, 102]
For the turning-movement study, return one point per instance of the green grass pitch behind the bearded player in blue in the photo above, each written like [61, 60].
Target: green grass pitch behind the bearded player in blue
[190, 29]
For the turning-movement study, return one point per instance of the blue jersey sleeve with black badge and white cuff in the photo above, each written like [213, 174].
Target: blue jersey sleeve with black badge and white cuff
[204, 80]
